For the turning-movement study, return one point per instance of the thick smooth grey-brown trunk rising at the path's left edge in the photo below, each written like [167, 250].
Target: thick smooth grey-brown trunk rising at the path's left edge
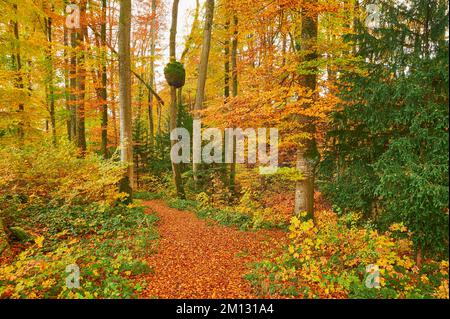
[126, 137]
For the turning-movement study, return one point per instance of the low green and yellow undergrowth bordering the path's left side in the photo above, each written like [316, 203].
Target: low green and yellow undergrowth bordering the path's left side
[108, 245]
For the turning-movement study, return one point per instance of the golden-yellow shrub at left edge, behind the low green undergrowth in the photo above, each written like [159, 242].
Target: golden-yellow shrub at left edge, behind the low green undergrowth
[57, 175]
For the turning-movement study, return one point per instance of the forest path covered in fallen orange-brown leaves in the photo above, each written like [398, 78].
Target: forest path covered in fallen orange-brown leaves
[201, 259]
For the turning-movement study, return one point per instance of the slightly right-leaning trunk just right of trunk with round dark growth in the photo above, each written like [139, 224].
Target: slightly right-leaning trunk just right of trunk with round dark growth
[202, 73]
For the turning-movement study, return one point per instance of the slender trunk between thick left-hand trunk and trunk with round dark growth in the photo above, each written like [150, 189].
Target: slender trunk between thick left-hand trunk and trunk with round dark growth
[151, 124]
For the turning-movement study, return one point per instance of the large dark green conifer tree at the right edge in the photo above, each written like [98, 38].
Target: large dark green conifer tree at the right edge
[389, 152]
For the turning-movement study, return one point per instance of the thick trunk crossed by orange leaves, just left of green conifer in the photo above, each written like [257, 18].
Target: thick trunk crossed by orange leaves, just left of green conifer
[307, 154]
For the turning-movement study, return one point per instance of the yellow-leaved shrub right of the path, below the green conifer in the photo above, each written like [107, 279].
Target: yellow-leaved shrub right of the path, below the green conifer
[329, 258]
